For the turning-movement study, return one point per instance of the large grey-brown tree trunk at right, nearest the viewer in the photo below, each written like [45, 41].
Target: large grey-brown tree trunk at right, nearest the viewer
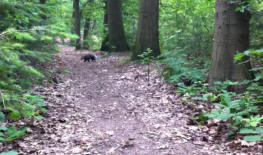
[231, 36]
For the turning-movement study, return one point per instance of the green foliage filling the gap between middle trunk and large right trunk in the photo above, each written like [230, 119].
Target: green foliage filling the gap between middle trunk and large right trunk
[186, 32]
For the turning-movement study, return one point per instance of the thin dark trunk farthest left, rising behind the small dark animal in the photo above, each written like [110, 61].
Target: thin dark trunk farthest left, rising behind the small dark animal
[77, 19]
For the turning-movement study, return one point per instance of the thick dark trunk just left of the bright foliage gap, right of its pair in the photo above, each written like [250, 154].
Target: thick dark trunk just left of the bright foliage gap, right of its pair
[148, 28]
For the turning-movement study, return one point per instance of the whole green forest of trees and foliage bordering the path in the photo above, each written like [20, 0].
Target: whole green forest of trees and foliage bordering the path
[210, 50]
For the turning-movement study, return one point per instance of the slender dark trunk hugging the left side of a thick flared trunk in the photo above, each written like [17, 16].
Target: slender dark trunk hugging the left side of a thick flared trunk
[105, 42]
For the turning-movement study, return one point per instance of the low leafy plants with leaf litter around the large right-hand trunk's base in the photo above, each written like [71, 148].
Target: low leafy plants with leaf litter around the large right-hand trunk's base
[234, 118]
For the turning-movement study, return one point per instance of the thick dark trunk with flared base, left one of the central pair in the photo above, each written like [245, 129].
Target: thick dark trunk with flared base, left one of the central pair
[117, 37]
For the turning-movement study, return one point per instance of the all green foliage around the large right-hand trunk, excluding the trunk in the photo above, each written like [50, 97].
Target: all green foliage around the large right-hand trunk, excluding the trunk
[187, 26]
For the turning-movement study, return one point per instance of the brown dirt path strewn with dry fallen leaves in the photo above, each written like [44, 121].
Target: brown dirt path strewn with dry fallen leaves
[105, 108]
